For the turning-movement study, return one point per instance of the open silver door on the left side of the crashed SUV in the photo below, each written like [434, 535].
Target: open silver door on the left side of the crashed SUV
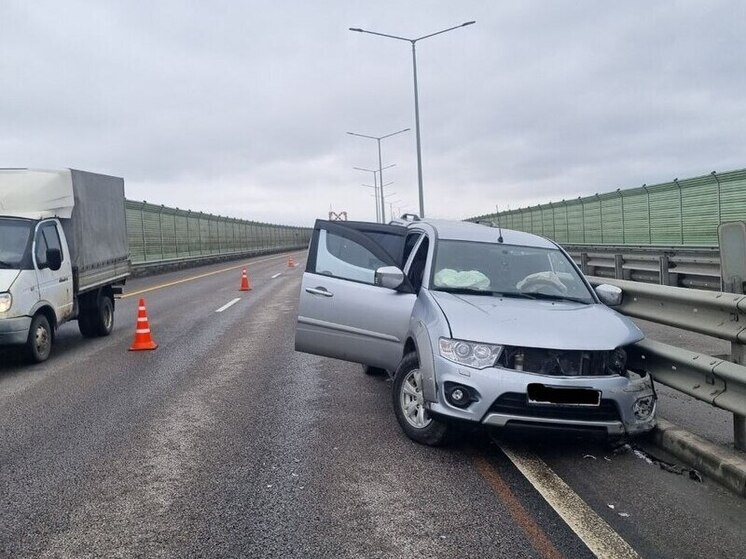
[342, 313]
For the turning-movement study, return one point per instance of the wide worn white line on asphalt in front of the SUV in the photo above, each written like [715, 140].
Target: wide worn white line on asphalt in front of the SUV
[595, 532]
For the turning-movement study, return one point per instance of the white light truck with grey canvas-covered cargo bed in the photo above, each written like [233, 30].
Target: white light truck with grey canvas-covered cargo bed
[63, 254]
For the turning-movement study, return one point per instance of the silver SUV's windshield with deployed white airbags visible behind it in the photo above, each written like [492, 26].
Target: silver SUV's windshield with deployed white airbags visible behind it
[506, 270]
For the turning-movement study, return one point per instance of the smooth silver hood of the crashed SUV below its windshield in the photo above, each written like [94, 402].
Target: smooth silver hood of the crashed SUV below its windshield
[536, 323]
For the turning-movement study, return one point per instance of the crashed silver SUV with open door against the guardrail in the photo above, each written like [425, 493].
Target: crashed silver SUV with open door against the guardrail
[476, 324]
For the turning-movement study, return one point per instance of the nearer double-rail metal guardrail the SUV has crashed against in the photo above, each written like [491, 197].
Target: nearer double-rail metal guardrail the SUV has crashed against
[717, 381]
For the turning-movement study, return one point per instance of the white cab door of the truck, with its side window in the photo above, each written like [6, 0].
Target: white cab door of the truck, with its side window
[55, 286]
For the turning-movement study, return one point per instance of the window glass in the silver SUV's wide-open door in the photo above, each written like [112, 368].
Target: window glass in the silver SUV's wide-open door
[343, 258]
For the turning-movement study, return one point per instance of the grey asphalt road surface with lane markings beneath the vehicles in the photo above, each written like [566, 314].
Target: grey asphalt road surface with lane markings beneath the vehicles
[224, 442]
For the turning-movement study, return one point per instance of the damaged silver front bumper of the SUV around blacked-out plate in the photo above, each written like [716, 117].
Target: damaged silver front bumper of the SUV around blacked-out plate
[498, 397]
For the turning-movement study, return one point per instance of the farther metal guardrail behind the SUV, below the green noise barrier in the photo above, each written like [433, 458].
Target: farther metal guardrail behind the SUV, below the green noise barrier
[697, 268]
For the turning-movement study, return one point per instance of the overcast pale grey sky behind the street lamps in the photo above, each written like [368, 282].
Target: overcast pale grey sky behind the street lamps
[241, 108]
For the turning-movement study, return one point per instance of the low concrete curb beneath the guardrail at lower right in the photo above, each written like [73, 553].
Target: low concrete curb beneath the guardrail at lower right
[725, 466]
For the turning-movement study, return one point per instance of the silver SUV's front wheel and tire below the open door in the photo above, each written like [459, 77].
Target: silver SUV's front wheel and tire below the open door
[409, 407]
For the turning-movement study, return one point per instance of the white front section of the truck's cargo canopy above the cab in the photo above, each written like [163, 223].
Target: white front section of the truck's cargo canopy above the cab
[36, 193]
